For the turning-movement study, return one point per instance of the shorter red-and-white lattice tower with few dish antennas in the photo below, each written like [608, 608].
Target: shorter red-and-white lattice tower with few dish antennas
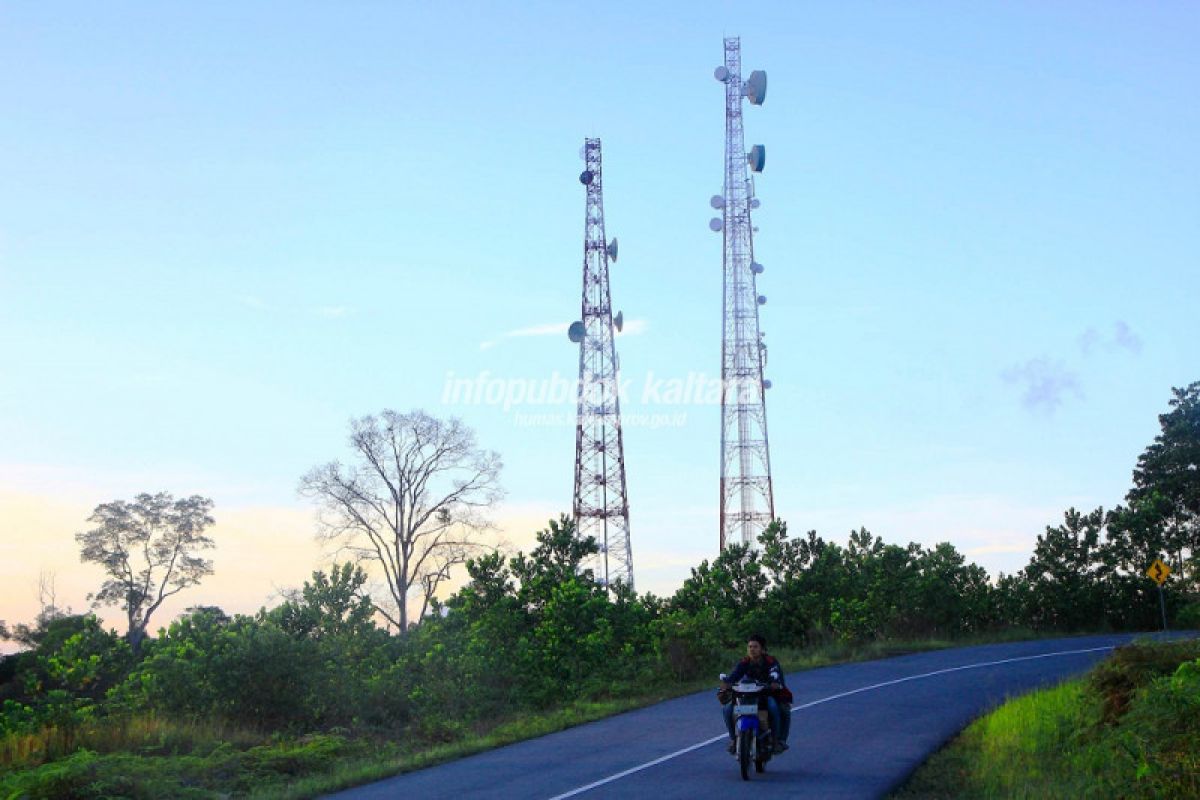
[602, 506]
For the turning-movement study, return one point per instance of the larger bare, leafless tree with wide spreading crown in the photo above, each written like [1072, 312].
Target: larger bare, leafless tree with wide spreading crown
[413, 502]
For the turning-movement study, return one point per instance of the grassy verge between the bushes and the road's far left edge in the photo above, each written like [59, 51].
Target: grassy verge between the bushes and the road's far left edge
[149, 757]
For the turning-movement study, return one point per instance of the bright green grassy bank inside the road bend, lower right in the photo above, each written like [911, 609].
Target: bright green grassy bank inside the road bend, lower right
[1130, 729]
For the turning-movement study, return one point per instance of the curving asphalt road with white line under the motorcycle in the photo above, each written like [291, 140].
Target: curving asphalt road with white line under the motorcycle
[859, 731]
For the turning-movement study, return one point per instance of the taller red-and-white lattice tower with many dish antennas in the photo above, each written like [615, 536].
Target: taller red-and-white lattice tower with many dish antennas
[748, 502]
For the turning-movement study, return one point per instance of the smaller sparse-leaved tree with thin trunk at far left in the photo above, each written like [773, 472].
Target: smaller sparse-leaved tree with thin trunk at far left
[148, 549]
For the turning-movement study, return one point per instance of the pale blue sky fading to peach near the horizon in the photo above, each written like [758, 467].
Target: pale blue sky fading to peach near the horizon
[229, 230]
